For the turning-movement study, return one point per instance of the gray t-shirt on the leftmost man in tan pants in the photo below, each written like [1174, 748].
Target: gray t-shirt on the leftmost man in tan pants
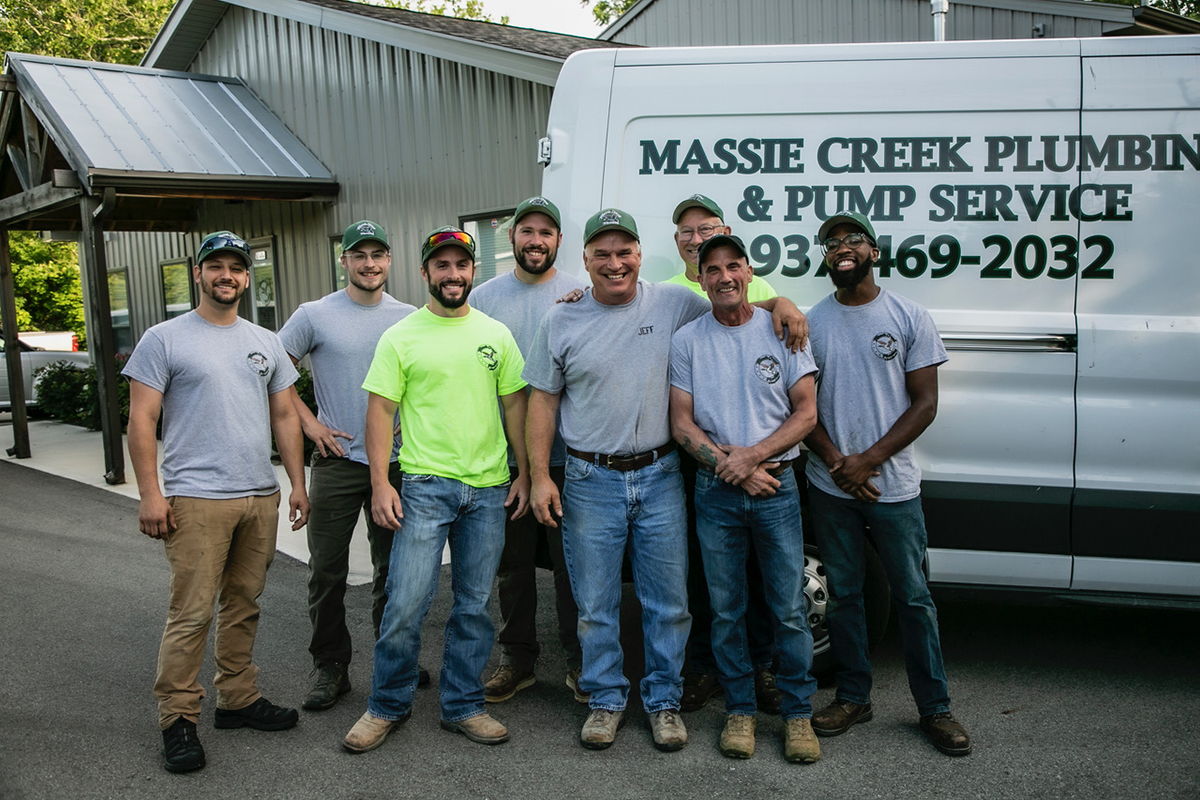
[217, 419]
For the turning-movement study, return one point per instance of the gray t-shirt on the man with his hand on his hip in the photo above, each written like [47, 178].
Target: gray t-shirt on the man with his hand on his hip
[340, 338]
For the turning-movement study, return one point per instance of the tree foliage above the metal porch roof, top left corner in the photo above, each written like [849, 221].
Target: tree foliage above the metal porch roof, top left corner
[118, 32]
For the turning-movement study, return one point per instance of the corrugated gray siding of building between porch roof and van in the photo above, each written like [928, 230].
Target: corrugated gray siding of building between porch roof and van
[415, 141]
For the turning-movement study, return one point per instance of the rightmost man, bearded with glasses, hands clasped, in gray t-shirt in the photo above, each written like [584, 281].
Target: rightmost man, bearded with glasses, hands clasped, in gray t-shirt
[879, 356]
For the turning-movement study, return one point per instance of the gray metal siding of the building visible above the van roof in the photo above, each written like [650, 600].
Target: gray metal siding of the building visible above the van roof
[675, 23]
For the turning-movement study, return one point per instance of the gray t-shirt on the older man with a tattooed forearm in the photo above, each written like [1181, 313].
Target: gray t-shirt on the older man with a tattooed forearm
[739, 378]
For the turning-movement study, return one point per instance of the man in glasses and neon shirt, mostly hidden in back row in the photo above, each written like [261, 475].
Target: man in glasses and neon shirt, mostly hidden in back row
[698, 220]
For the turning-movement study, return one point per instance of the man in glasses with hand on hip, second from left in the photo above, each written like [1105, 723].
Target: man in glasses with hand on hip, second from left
[339, 334]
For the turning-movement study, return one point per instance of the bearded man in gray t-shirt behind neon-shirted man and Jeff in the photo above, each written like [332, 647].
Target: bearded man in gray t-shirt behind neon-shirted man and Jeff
[520, 299]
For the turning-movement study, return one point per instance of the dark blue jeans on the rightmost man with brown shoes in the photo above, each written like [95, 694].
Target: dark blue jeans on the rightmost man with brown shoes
[899, 533]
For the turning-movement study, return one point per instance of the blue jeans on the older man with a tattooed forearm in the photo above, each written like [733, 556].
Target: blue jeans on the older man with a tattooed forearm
[728, 522]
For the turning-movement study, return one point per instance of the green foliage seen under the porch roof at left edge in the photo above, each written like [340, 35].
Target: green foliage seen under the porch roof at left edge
[46, 279]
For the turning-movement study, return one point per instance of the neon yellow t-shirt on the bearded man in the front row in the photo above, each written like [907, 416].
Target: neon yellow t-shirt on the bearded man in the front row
[447, 374]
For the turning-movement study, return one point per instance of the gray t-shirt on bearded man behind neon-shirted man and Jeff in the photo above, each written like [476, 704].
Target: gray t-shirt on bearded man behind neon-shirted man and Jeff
[521, 308]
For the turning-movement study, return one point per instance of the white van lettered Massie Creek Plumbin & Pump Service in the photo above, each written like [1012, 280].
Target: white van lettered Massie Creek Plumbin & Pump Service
[1041, 199]
